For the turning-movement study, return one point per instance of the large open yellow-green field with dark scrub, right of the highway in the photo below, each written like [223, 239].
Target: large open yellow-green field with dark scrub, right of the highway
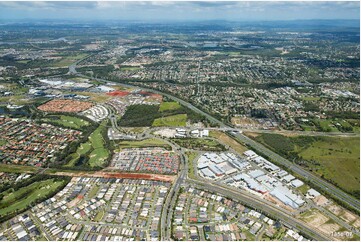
[335, 158]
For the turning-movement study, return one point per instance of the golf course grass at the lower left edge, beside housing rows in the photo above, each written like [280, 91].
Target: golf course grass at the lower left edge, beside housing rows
[23, 197]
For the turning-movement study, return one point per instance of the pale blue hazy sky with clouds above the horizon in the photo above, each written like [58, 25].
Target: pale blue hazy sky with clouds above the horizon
[176, 10]
